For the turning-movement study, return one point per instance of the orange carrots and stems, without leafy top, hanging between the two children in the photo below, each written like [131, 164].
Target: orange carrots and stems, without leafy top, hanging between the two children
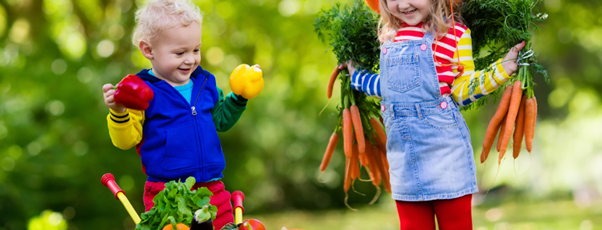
[364, 138]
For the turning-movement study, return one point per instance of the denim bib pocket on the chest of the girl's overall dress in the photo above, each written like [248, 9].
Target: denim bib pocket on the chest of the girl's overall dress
[404, 73]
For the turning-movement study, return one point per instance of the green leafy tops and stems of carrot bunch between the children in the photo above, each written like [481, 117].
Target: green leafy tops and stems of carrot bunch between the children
[351, 32]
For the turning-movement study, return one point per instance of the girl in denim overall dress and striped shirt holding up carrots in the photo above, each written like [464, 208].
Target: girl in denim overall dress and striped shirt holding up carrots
[425, 69]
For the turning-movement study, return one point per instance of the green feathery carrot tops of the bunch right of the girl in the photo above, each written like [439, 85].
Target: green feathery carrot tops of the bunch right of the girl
[498, 25]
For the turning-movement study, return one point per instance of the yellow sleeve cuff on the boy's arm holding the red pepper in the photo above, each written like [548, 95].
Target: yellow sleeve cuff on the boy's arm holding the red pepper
[125, 128]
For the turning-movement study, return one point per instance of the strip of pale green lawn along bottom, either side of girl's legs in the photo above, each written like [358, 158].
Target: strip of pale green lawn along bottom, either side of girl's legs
[562, 215]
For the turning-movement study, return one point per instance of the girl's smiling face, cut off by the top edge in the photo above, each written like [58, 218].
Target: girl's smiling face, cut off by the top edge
[411, 12]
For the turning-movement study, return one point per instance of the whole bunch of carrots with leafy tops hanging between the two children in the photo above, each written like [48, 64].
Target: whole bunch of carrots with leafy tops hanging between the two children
[351, 35]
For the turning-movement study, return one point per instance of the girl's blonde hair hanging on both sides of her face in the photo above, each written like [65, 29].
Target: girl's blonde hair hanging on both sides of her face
[439, 20]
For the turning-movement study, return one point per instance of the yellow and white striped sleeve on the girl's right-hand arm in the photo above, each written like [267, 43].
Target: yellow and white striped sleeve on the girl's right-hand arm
[487, 80]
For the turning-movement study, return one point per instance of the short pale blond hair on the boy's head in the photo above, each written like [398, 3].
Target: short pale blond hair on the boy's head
[162, 14]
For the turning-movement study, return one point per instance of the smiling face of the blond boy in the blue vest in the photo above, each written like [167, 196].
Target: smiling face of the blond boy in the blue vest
[176, 53]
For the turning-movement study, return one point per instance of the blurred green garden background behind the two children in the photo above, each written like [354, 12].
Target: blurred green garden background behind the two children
[54, 146]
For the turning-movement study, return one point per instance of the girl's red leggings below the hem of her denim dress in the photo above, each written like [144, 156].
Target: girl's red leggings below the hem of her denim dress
[454, 214]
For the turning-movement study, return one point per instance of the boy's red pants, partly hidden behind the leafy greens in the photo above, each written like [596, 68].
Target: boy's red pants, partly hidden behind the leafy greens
[220, 198]
